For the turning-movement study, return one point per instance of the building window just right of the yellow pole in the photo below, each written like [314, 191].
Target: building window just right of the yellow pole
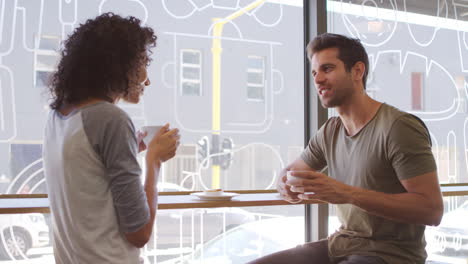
[256, 78]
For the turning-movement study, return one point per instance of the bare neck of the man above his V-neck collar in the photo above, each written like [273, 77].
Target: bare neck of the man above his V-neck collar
[356, 113]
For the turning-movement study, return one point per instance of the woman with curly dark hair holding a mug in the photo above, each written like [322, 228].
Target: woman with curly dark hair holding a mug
[101, 212]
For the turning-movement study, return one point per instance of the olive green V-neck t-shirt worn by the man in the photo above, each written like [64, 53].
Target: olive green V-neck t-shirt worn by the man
[393, 146]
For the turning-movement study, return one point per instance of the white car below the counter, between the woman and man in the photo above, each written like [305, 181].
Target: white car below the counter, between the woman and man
[251, 241]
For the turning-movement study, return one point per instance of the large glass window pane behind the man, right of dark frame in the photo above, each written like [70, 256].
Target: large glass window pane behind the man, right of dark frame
[419, 63]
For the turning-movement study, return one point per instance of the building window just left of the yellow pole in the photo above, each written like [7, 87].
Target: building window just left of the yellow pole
[190, 77]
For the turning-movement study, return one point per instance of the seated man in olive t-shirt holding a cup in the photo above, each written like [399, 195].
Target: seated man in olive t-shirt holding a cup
[382, 174]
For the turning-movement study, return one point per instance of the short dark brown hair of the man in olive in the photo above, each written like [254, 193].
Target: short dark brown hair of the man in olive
[350, 50]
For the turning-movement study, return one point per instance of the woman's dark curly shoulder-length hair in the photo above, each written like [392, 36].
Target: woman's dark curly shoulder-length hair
[98, 58]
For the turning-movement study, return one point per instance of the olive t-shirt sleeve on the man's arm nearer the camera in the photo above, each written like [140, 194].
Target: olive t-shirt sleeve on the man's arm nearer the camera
[409, 148]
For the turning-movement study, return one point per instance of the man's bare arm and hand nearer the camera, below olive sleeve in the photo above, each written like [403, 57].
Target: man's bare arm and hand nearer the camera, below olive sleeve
[421, 204]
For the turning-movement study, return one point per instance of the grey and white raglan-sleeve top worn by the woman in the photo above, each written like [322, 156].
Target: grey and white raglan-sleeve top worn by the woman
[94, 185]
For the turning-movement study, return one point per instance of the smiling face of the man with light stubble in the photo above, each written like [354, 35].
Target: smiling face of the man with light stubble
[334, 85]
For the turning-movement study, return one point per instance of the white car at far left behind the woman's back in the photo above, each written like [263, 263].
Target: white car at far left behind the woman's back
[21, 232]
